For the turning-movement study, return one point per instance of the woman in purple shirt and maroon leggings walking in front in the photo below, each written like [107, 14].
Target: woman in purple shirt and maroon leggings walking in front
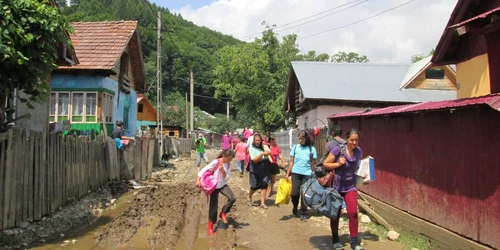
[345, 161]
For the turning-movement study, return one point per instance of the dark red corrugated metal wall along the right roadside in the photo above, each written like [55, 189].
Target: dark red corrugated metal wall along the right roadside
[441, 166]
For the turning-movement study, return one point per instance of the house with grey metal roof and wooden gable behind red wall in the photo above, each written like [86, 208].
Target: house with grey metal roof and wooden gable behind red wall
[317, 90]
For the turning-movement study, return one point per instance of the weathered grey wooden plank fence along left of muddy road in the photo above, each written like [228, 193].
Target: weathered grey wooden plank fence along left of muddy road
[40, 173]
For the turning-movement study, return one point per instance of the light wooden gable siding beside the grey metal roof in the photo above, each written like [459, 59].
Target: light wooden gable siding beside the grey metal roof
[448, 83]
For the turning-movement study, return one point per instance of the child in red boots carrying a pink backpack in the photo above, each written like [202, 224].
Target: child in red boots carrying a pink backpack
[219, 171]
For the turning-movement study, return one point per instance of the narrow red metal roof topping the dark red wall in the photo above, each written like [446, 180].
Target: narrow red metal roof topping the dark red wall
[492, 100]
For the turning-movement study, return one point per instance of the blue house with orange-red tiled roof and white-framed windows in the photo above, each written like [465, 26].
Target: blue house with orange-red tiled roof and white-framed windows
[103, 87]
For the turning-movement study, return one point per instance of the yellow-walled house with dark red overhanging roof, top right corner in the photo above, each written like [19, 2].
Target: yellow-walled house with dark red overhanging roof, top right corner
[471, 40]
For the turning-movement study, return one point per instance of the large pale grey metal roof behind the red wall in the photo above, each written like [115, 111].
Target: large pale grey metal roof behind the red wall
[361, 82]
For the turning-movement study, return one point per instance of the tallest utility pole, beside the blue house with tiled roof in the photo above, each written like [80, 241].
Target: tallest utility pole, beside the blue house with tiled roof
[159, 90]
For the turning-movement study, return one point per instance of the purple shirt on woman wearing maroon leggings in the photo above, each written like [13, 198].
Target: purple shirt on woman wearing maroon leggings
[345, 179]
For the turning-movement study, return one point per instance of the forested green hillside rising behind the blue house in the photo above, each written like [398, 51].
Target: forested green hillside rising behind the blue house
[185, 46]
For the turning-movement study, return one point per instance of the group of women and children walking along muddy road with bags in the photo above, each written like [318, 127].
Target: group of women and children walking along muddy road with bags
[262, 158]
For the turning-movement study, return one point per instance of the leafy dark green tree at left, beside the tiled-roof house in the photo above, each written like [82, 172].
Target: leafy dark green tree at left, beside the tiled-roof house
[31, 31]
